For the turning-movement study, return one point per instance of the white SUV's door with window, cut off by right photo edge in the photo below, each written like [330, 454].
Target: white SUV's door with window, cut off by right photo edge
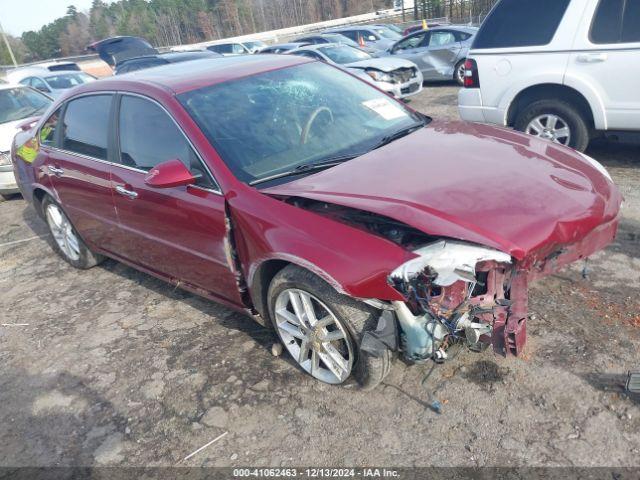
[607, 57]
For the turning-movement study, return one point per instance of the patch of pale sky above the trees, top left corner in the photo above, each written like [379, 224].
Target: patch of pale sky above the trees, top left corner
[18, 16]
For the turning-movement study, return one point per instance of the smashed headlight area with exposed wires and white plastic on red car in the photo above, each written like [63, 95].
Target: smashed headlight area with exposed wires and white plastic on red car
[455, 292]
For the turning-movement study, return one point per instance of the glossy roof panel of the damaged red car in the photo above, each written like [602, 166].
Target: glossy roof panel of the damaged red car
[183, 77]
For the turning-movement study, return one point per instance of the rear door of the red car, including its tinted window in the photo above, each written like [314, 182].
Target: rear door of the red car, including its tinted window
[78, 164]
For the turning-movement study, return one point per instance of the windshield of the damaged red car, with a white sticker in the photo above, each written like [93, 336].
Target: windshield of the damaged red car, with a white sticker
[271, 123]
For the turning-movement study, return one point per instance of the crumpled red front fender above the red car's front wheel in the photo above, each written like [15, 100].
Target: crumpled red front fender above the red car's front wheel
[354, 261]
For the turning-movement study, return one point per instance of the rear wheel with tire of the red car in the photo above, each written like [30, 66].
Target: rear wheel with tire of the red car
[66, 241]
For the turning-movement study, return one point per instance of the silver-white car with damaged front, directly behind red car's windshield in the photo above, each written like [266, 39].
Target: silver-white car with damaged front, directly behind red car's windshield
[398, 77]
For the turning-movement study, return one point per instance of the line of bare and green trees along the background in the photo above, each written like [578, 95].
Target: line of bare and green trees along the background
[175, 22]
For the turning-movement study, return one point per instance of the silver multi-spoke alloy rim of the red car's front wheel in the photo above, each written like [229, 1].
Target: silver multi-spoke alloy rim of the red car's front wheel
[314, 336]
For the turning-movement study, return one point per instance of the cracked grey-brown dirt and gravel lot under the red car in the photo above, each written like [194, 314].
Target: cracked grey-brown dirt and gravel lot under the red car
[115, 367]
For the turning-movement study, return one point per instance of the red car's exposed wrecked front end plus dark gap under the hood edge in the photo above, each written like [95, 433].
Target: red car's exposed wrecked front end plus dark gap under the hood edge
[455, 291]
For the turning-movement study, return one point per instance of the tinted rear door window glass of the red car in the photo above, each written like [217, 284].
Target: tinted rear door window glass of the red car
[86, 126]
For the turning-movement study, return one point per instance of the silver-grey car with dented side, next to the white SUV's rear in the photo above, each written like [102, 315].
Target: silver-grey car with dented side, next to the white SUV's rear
[439, 52]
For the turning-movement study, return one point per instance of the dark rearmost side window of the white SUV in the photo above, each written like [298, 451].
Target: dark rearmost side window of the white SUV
[521, 23]
